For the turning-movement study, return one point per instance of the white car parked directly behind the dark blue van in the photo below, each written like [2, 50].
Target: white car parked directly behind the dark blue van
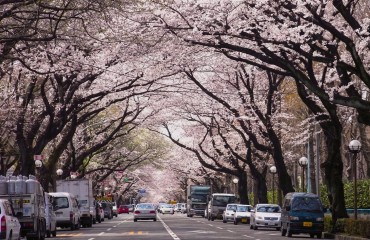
[266, 215]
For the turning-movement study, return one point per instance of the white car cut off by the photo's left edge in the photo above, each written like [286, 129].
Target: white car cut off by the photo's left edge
[10, 226]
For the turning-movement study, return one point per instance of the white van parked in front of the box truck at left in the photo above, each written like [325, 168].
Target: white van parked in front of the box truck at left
[68, 213]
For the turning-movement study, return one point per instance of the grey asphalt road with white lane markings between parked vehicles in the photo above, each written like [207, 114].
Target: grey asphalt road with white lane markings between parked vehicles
[170, 227]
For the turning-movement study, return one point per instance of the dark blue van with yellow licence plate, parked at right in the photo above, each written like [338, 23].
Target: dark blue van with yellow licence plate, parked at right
[302, 213]
